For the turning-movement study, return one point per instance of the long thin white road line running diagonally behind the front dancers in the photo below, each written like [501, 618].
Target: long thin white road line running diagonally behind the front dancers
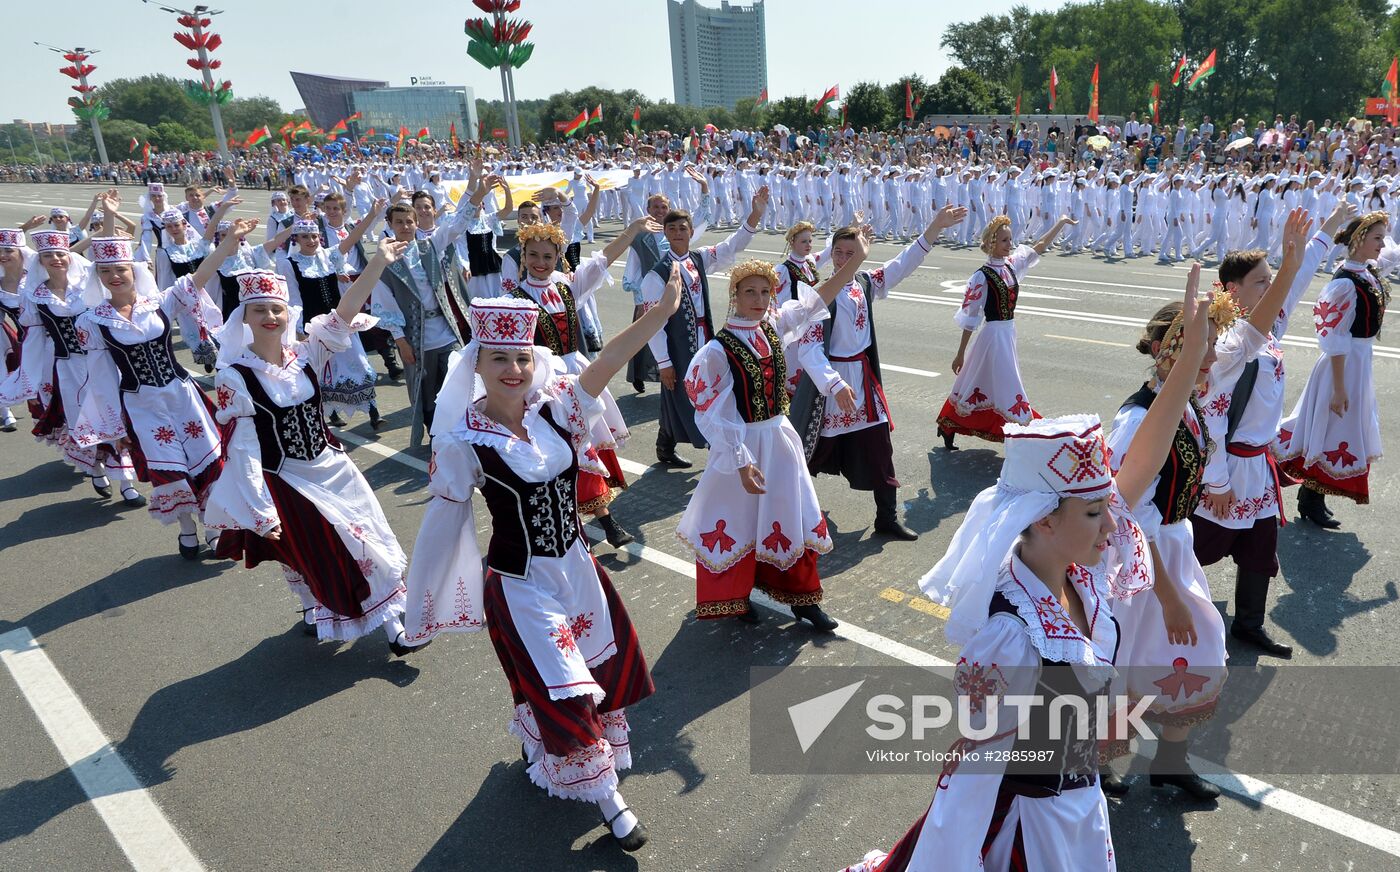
[1244, 787]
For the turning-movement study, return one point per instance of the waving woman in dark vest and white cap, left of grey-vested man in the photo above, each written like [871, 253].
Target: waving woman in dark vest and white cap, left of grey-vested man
[314, 275]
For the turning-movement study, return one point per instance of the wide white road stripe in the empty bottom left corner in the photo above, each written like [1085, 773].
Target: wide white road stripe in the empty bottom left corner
[139, 827]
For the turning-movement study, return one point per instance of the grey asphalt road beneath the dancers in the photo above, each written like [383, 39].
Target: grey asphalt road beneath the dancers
[268, 751]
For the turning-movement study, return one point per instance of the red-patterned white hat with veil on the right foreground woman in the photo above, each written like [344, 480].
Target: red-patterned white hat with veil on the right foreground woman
[1048, 461]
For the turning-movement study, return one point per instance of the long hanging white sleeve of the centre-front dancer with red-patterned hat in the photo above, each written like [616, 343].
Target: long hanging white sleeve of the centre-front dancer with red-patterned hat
[446, 577]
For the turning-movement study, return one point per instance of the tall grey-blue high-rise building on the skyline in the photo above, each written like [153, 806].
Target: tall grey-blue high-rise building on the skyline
[719, 57]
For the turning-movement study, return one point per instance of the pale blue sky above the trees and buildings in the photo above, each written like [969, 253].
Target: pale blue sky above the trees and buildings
[813, 44]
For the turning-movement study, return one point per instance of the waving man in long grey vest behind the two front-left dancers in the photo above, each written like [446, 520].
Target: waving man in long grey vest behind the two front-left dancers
[423, 310]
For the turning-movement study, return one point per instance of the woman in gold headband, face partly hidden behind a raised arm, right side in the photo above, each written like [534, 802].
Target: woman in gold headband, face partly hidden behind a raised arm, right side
[1174, 640]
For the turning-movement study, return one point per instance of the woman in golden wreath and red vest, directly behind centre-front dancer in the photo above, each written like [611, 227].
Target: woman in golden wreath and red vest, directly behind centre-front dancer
[559, 330]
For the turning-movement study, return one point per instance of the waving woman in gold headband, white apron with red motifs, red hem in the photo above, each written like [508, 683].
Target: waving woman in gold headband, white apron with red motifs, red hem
[754, 520]
